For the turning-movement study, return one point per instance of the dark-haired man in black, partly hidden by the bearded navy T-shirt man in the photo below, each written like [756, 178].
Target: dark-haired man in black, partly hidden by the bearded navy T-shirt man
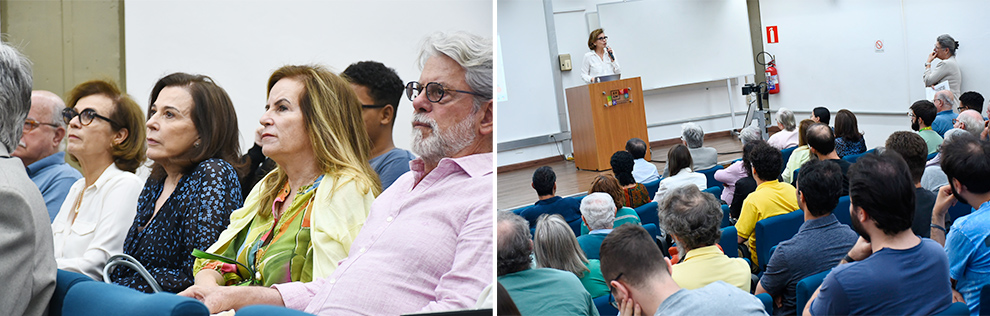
[912, 148]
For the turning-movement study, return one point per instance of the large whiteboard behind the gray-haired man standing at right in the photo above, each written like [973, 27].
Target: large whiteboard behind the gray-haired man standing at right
[826, 54]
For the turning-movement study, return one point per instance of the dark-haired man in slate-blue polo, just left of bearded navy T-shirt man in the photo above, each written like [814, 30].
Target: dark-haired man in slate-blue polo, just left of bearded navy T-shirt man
[819, 244]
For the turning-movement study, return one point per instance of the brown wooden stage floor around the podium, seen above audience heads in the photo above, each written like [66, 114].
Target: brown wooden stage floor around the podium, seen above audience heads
[515, 187]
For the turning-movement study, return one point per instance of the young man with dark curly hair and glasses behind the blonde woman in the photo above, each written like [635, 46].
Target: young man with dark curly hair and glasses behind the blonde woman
[379, 89]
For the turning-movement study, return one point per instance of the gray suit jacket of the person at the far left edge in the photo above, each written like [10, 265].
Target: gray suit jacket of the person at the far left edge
[27, 263]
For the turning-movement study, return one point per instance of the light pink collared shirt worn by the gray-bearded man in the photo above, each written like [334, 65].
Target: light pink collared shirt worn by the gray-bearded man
[424, 247]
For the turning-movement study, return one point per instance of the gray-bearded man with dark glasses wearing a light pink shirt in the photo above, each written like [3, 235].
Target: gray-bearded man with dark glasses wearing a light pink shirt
[427, 243]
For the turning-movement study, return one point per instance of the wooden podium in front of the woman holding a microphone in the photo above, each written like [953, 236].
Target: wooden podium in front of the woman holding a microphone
[603, 117]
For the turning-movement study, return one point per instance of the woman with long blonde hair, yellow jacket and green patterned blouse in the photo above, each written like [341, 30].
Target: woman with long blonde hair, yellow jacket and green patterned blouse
[301, 219]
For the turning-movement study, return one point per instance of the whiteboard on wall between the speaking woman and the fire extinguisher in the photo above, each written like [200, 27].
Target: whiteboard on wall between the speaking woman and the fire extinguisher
[676, 42]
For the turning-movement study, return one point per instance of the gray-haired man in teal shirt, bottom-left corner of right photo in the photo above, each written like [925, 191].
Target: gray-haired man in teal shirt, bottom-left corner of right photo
[539, 291]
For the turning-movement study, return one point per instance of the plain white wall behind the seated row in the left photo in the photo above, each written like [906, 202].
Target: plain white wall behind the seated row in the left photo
[239, 43]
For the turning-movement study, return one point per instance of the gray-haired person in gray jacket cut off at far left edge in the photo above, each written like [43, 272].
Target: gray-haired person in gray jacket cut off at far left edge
[28, 267]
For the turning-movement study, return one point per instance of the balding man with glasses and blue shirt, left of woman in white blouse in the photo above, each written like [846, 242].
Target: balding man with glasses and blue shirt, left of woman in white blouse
[39, 150]
